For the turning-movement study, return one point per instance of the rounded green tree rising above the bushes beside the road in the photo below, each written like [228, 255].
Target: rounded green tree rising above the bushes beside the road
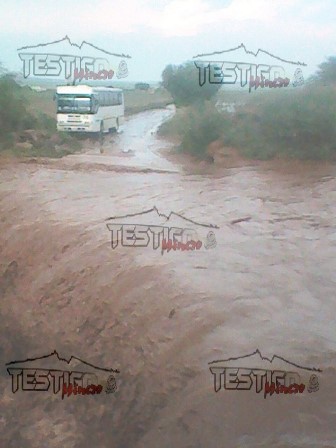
[182, 82]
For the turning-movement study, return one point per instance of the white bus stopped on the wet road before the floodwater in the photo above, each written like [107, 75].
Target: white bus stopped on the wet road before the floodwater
[89, 109]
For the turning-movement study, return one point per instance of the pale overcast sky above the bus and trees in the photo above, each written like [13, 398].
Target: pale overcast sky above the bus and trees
[156, 33]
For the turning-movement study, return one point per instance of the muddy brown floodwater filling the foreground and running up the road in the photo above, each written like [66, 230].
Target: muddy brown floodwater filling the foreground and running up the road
[269, 284]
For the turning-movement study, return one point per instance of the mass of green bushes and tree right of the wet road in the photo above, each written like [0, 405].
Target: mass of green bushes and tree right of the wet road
[297, 123]
